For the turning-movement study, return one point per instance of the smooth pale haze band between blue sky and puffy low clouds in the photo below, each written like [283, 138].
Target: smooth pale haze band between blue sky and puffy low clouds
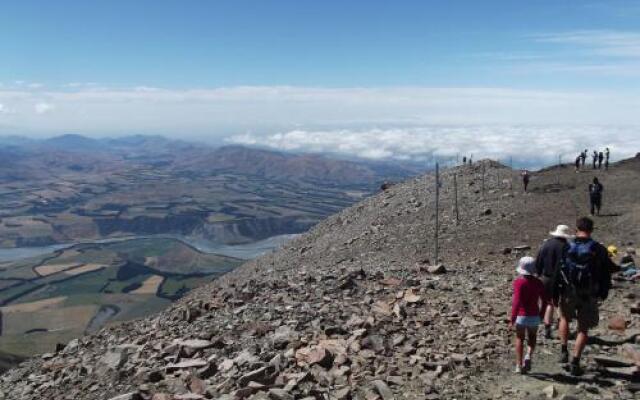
[221, 111]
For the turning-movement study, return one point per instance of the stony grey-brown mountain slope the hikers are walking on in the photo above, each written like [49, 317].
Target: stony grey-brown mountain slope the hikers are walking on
[358, 309]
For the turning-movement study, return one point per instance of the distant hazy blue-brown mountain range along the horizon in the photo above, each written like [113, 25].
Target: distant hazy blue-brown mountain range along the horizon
[23, 158]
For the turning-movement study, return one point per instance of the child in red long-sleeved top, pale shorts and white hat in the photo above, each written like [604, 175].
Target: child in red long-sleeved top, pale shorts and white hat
[528, 295]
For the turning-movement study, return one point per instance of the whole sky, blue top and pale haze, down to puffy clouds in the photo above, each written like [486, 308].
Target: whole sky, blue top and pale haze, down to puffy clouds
[250, 70]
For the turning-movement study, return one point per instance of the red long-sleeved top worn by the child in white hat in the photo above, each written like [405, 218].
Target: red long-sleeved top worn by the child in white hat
[528, 298]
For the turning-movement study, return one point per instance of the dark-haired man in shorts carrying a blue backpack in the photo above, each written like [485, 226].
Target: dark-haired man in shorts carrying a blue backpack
[585, 278]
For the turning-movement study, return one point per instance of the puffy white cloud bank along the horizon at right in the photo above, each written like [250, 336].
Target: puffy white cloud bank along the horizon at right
[535, 145]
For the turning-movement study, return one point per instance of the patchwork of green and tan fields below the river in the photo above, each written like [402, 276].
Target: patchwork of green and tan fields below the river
[52, 298]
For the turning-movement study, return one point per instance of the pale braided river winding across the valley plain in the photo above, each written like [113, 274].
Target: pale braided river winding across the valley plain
[244, 251]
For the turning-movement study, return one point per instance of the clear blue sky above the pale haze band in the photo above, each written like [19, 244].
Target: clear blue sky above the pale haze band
[178, 44]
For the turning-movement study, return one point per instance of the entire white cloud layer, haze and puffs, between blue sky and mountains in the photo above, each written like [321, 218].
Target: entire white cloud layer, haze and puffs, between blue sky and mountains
[411, 123]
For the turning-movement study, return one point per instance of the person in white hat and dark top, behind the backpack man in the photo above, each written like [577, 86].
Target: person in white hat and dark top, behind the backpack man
[548, 262]
